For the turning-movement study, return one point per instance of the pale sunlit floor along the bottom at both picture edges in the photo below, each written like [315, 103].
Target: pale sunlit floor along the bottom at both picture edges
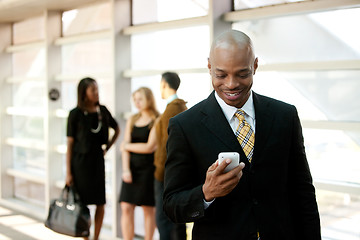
[340, 219]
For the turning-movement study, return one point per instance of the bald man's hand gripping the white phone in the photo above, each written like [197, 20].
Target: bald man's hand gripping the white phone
[218, 183]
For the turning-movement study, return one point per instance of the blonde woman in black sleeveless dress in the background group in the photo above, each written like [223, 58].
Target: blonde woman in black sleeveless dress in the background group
[138, 169]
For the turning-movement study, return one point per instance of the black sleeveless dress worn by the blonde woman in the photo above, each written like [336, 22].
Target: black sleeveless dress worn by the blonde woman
[141, 190]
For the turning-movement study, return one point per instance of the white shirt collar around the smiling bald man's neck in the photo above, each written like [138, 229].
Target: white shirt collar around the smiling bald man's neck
[229, 111]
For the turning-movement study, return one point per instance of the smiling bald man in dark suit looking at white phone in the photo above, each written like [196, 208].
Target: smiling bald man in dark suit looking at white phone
[270, 194]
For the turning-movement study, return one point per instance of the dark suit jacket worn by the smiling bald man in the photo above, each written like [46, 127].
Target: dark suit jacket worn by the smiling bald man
[275, 195]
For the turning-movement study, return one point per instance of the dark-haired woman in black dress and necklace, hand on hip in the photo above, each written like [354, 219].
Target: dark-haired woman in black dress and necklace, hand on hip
[87, 142]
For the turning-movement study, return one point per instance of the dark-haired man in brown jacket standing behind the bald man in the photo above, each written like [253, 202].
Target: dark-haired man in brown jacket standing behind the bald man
[169, 84]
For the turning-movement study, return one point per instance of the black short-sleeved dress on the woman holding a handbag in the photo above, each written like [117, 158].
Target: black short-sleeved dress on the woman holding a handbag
[87, 160]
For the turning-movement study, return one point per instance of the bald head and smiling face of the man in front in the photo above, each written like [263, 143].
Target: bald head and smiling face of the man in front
[232, 64]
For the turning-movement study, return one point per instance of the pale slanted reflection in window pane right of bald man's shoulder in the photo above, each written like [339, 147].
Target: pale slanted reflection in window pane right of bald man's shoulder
[336, 93]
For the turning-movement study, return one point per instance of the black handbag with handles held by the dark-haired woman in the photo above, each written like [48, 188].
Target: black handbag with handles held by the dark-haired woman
[67, 215]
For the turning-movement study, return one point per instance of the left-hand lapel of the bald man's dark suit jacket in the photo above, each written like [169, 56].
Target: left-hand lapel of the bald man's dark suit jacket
[215, 120]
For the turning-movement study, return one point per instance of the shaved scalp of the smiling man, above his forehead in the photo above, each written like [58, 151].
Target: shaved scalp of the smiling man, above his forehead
[233, 40]
